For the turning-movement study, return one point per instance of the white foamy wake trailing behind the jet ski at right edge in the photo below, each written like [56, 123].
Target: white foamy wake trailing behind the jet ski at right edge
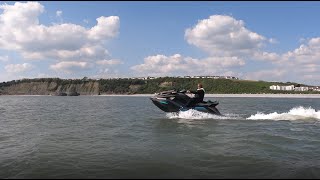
[297, 113]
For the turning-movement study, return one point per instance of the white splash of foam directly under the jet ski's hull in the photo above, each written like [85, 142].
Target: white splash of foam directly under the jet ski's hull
[194, 114]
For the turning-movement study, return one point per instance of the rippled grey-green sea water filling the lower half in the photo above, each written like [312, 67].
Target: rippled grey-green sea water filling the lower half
[129, 137]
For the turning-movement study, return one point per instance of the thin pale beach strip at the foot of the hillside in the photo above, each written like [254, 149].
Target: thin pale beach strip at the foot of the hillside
[210, 95]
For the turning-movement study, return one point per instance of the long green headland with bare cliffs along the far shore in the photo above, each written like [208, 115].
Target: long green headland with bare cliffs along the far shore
[46, 86]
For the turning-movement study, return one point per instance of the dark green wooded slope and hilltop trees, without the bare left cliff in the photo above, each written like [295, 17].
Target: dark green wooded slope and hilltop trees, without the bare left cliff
[150, 86]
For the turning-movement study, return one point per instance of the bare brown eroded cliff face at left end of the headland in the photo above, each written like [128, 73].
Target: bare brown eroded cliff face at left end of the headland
[46, 88]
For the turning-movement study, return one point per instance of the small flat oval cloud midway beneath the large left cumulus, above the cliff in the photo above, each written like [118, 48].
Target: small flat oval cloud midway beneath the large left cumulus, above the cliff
[70, 66]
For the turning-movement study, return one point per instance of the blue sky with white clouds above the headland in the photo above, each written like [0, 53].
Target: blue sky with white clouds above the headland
[268, 41]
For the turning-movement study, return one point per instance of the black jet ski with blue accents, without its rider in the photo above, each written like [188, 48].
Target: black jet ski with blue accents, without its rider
[175, 101]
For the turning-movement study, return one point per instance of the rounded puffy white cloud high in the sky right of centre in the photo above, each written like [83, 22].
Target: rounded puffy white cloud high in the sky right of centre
[224, 36]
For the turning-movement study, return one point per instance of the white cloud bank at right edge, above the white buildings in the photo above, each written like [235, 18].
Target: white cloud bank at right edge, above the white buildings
[301, 64]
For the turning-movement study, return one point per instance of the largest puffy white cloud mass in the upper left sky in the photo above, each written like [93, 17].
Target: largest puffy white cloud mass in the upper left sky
[22, 32]
